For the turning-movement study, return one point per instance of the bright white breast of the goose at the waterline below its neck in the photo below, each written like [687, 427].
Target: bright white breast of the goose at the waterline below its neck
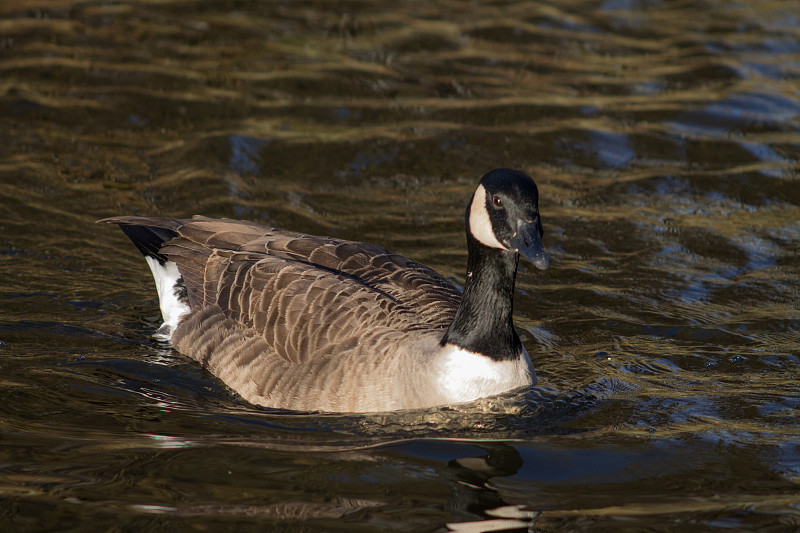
[464, 376]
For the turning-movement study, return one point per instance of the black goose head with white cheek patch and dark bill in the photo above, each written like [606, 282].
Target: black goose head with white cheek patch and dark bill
[504, 214]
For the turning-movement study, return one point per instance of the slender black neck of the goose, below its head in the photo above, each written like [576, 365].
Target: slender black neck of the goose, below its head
[483, 322]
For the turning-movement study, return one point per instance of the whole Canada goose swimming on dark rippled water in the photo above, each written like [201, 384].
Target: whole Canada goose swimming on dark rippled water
[310, 323]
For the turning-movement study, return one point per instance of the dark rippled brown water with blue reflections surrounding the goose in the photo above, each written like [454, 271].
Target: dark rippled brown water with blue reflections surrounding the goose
[665, 138]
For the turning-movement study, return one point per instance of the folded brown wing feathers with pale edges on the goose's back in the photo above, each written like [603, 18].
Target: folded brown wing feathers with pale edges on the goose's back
[305, 294]
